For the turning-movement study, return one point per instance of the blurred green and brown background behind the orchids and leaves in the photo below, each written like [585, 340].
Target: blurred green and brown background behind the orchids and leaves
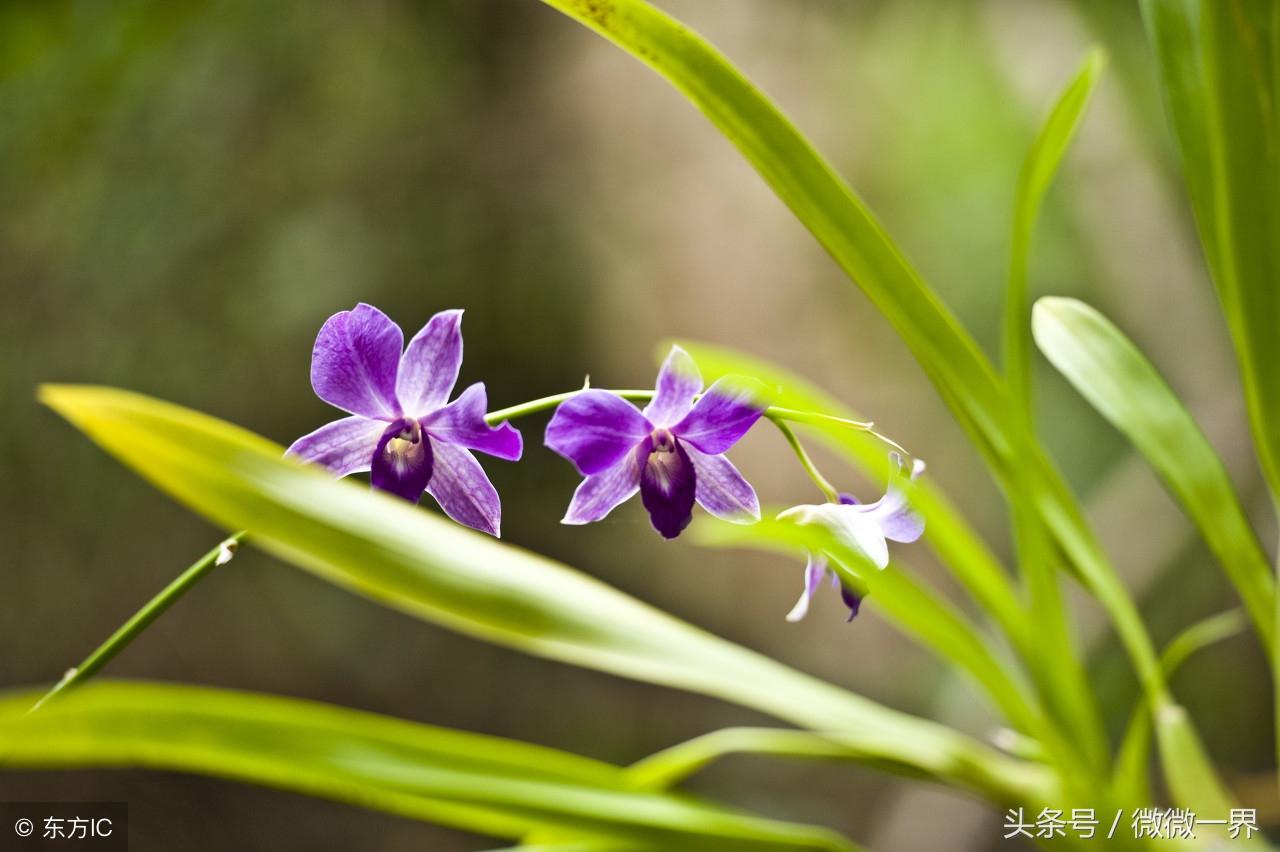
[188, 191]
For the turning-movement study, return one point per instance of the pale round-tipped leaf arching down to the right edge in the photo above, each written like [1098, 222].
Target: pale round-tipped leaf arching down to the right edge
[1110, 372]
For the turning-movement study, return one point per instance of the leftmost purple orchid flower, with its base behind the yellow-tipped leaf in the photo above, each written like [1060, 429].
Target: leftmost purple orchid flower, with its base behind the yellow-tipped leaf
[403, 427]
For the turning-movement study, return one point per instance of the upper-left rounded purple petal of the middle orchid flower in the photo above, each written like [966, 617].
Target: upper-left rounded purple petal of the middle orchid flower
[596, 430]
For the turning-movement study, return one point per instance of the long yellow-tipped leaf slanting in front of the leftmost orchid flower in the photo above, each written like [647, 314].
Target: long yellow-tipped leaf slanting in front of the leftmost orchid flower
[414, 561]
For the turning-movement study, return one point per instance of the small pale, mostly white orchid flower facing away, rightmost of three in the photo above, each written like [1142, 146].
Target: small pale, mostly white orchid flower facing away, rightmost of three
[865, 528]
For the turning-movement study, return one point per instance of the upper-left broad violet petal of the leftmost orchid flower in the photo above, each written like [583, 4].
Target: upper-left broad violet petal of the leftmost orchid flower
[355, 361]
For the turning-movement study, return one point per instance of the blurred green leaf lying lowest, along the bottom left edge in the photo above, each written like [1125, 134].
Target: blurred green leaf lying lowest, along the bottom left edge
[481, 784]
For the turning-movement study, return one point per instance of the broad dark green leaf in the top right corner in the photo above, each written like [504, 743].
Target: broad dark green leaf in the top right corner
[1219, 66]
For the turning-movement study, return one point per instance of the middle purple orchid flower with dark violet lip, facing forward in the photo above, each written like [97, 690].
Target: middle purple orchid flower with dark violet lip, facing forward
[673, 452]
